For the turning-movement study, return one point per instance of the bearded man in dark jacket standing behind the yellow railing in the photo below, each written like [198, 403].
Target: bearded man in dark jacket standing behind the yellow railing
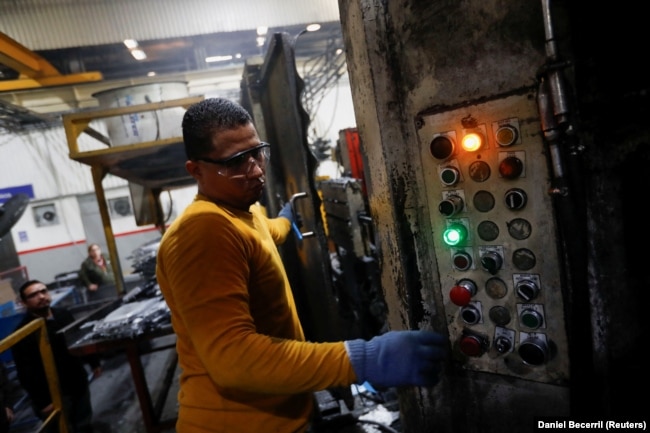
[73, 377]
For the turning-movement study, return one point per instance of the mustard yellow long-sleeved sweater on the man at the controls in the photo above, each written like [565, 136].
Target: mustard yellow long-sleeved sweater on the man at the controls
[245, 364]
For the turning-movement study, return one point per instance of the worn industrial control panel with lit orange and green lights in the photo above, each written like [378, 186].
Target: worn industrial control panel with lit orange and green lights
[487, 182]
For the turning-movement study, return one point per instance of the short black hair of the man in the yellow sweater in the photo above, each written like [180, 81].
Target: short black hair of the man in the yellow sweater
[203, 119]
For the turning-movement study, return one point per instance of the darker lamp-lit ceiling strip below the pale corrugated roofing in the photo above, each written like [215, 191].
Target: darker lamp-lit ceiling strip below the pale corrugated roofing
[181, 58]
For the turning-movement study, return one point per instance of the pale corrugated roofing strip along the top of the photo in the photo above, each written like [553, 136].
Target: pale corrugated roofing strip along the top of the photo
[52, 24]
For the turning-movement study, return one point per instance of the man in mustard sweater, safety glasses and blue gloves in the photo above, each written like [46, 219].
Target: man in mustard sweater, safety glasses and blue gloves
[246, 366]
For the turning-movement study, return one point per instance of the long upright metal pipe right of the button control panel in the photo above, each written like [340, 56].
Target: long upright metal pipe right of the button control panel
[569, 198]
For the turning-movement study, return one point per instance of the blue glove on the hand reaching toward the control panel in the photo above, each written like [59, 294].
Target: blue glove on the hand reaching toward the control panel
[398, 358]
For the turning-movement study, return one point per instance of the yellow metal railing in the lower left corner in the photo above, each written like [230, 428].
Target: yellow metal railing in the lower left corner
[38, 325]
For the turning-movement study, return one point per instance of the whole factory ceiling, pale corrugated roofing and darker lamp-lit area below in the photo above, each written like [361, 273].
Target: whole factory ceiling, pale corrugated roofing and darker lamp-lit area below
[82, 40]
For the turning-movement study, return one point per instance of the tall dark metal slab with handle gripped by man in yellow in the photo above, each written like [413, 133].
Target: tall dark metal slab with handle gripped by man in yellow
[271, 93]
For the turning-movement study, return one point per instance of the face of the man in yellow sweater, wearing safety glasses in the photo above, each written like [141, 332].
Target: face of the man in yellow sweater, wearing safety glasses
[240, 181]
